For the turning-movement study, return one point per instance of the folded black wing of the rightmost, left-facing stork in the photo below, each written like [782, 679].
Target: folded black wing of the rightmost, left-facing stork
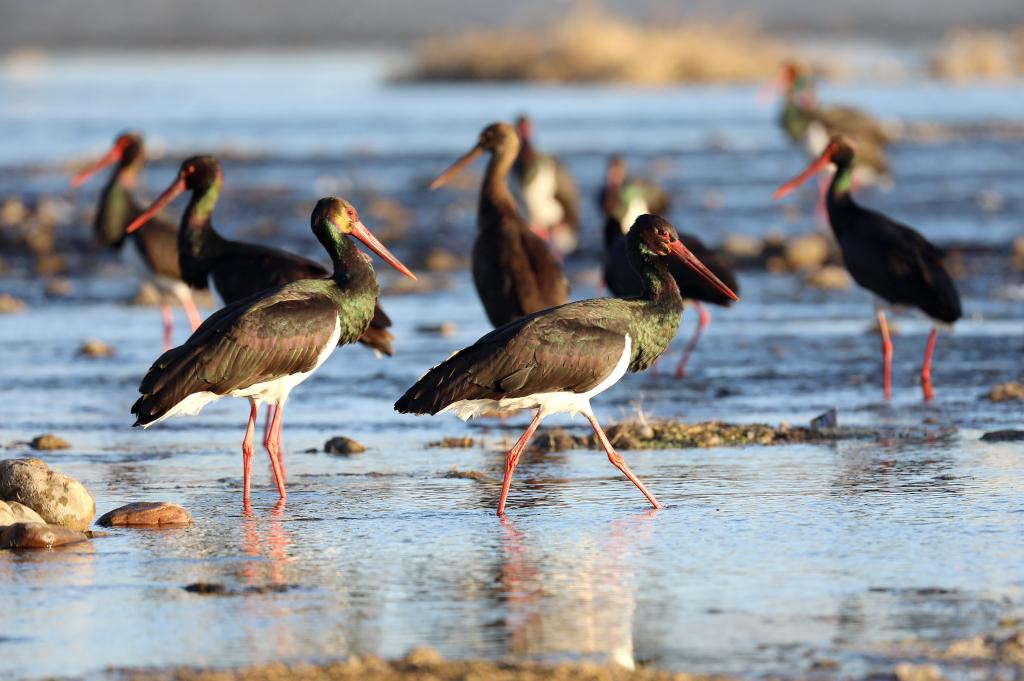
[899, 265]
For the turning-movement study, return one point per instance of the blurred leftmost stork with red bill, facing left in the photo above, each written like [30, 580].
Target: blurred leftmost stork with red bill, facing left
[157, 246]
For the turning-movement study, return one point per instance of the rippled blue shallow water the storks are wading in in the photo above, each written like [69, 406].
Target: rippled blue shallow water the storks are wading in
[764, 561]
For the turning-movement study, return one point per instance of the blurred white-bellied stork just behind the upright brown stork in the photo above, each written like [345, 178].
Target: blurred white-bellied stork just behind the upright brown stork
[549, 193]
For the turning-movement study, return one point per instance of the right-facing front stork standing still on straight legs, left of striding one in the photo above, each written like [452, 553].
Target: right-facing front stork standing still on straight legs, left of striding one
[263, 347]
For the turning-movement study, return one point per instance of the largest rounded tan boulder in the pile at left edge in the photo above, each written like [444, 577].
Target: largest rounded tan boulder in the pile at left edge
[59, 499]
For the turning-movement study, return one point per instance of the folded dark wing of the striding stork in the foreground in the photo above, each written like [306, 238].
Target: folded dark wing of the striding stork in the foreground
[569, 349]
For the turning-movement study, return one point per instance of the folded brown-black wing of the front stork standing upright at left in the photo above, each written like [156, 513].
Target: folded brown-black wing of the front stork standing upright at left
[259, 339]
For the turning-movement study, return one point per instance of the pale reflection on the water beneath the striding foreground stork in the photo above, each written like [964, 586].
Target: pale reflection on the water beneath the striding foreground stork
[579, 604]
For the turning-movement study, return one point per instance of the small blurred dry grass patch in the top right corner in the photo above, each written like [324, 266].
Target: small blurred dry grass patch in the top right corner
[970, 55]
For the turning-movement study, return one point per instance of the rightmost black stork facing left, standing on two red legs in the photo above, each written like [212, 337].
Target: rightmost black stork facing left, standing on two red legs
[893, 262]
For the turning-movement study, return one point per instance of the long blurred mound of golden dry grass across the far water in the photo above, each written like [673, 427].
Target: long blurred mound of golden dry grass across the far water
[590, 46]
